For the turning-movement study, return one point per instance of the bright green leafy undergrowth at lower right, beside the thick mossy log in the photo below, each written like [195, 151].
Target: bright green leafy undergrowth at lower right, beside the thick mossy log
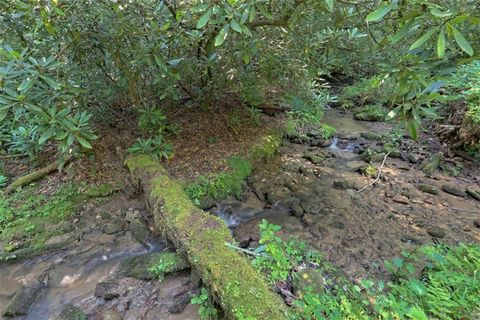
[447, 286]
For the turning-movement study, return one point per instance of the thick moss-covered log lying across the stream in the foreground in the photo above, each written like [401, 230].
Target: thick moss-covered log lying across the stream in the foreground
[232, 281]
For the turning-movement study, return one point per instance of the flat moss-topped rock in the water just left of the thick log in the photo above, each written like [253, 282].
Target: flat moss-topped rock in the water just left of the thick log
[153, 265]
